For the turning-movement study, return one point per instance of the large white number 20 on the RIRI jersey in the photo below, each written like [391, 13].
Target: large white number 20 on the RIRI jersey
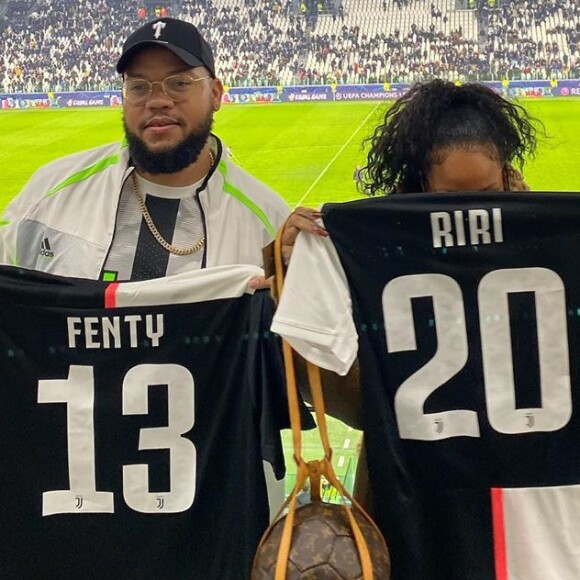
[452, 352]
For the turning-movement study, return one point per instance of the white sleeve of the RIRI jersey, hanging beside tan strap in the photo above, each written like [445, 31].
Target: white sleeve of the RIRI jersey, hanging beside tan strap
[315, 311]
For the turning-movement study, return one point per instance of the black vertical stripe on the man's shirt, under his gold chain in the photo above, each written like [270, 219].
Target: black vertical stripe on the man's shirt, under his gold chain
[151, 258]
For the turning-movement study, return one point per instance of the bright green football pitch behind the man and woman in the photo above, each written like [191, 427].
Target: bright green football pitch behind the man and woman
[307, 152]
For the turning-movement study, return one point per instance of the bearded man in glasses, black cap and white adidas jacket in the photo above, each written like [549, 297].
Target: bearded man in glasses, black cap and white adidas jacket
[165, 201]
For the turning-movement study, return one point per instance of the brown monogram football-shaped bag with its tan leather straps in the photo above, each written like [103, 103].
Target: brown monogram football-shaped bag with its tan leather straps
[318, 540]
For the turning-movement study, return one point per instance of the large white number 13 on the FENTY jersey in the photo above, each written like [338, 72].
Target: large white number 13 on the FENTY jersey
[78, 392]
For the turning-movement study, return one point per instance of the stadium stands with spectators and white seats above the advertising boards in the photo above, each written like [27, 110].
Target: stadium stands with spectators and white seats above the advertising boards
[51, 45]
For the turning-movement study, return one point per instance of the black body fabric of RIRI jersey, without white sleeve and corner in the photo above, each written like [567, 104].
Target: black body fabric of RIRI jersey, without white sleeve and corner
[432, 497]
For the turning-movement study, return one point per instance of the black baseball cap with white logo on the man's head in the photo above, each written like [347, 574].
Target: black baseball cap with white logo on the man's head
[181, 38]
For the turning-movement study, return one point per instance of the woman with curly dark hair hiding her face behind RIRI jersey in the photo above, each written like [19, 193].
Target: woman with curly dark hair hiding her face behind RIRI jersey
[438, 137]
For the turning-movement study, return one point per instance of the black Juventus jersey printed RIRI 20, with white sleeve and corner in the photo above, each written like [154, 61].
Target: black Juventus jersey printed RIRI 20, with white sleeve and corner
[464, 312]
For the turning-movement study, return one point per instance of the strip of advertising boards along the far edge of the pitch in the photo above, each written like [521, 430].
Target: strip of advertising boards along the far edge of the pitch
[242, 95]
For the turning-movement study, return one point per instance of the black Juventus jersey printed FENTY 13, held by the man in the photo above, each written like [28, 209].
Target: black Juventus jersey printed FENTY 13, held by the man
[135, 418]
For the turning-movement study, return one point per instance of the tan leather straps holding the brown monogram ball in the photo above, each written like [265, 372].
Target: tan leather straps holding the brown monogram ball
[312, 469]
